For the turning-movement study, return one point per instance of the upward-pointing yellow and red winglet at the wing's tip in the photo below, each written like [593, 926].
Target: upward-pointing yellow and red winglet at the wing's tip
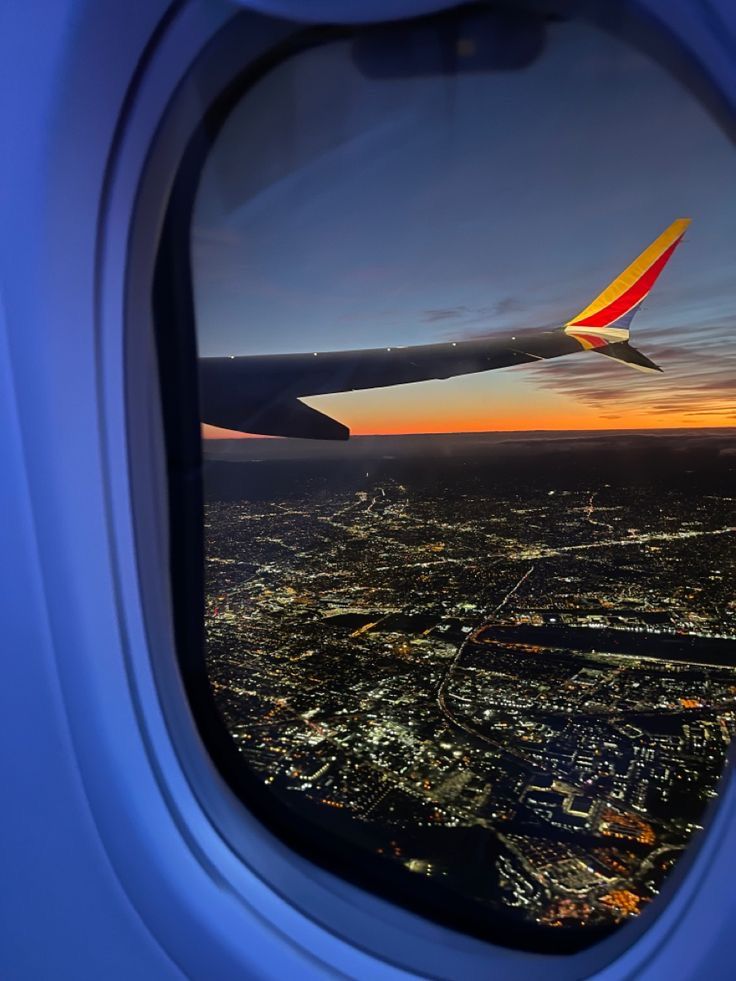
[606, 319]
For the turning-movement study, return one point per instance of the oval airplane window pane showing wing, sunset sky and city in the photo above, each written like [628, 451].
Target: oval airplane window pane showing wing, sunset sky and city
[463, 296]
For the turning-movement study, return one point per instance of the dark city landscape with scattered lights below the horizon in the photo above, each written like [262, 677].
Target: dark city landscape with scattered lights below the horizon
[506, 663]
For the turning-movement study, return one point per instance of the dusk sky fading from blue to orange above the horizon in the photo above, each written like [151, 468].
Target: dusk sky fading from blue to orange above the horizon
[338, 211]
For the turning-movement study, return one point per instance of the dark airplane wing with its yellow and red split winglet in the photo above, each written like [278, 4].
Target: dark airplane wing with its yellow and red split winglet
[261, 394]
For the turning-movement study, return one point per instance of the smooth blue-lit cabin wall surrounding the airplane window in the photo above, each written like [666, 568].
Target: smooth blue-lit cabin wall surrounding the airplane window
[115, 862]
